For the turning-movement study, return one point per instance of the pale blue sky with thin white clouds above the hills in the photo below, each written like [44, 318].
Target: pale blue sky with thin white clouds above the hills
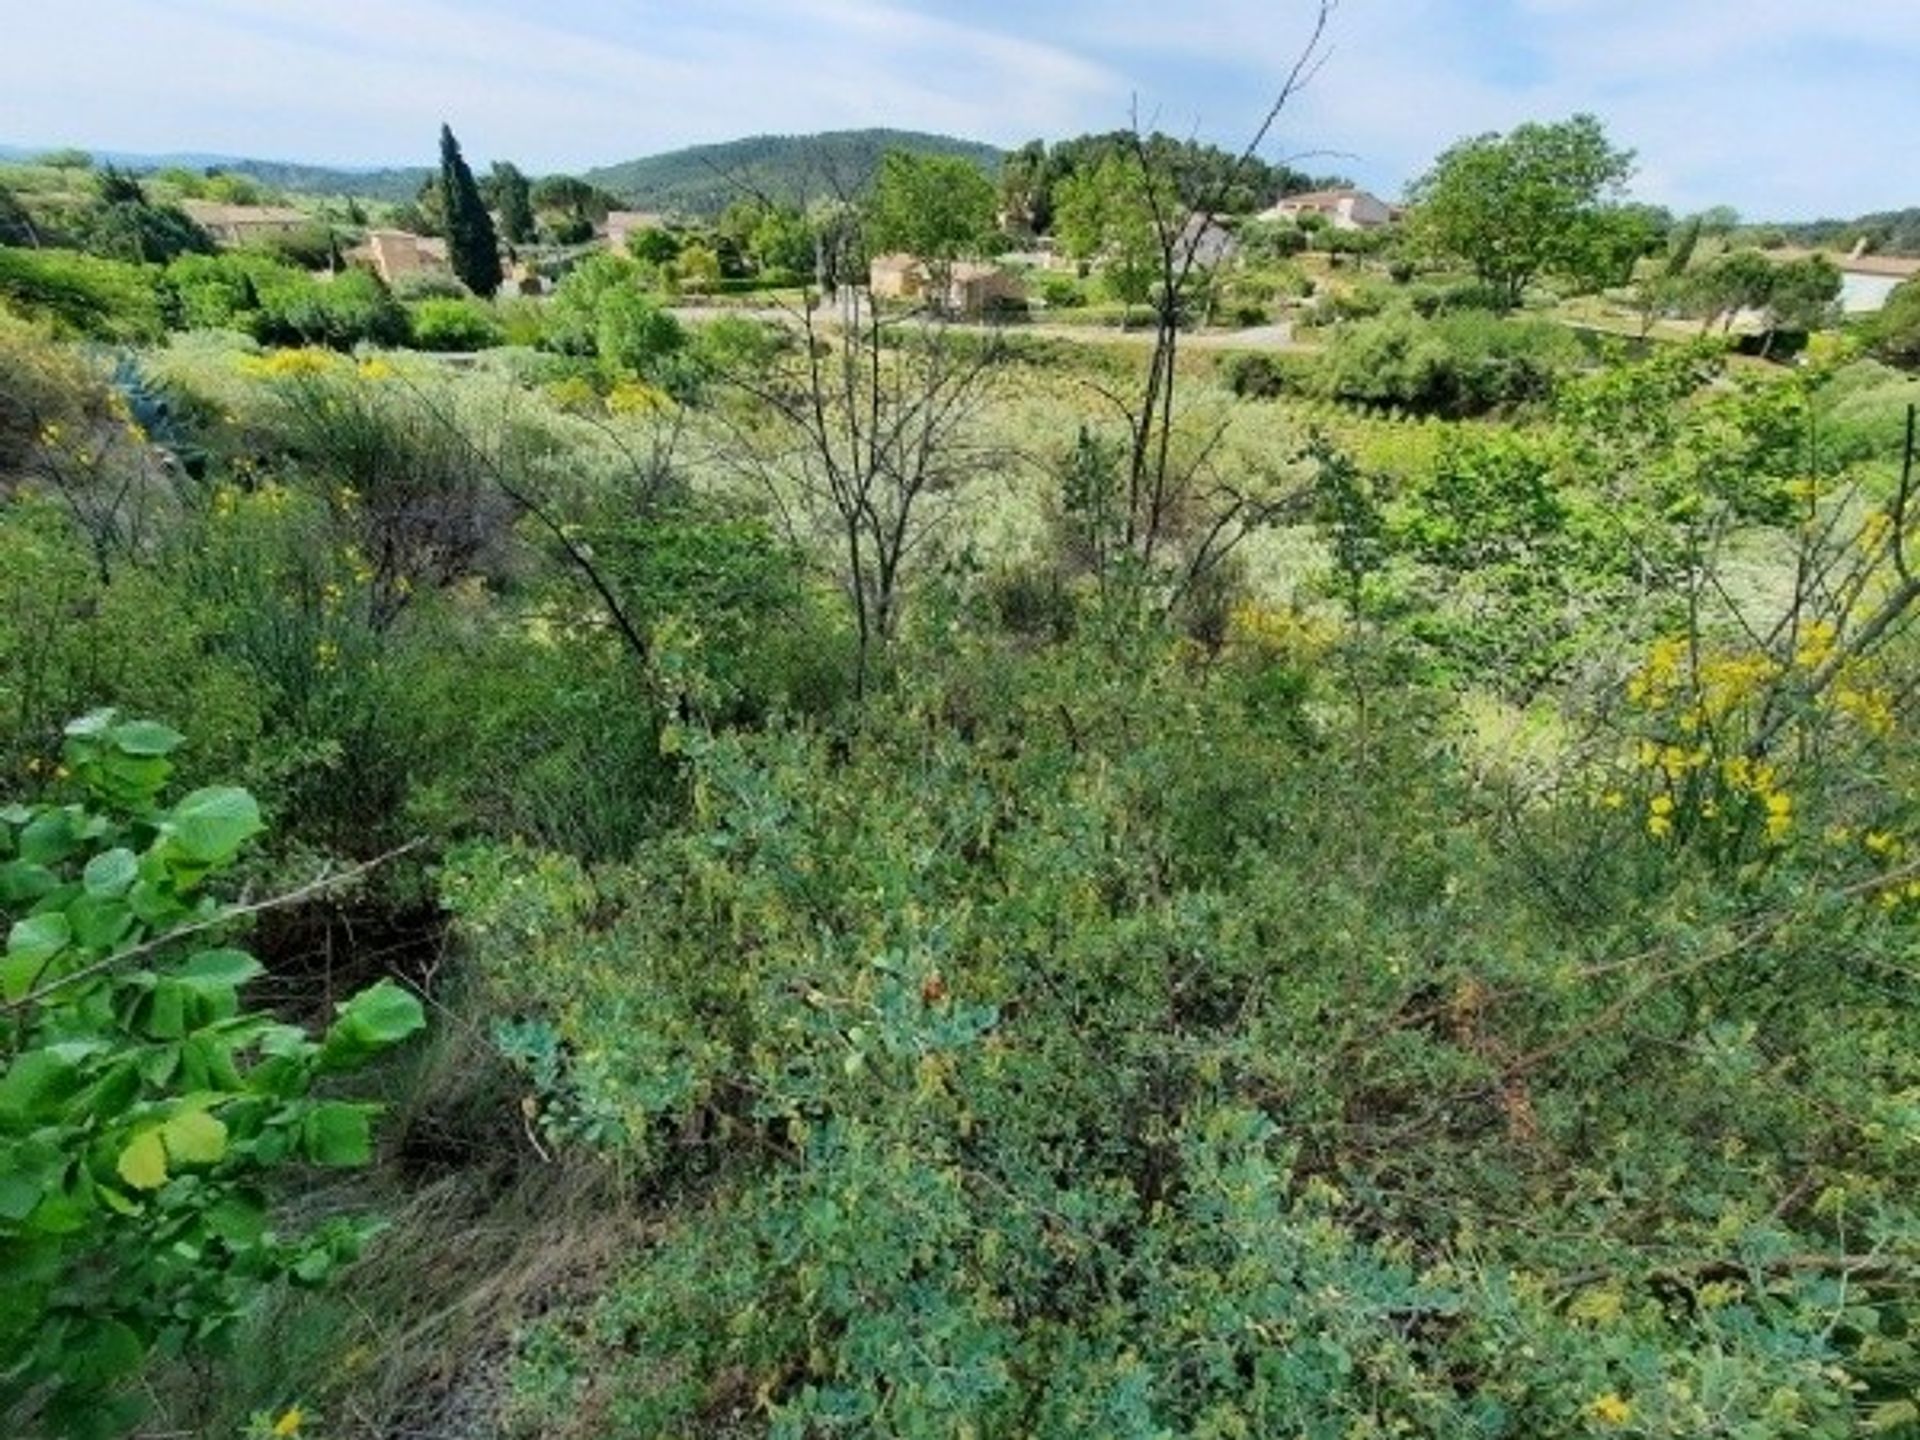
[1785, 108]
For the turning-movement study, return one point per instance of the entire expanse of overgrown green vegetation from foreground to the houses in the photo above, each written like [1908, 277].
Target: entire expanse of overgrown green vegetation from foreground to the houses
[965, 884]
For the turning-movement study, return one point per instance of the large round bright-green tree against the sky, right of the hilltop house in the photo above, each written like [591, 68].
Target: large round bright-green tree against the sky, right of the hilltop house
[1531, 203]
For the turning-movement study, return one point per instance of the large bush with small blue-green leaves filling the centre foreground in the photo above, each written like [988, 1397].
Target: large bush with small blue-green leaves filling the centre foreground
[1097, 1063]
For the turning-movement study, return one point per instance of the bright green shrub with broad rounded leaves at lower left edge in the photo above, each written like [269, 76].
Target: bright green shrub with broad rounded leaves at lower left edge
[141, 1107]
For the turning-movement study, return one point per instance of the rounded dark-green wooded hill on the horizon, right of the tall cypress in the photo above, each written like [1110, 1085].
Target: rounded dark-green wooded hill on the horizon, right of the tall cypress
[708, 180]
